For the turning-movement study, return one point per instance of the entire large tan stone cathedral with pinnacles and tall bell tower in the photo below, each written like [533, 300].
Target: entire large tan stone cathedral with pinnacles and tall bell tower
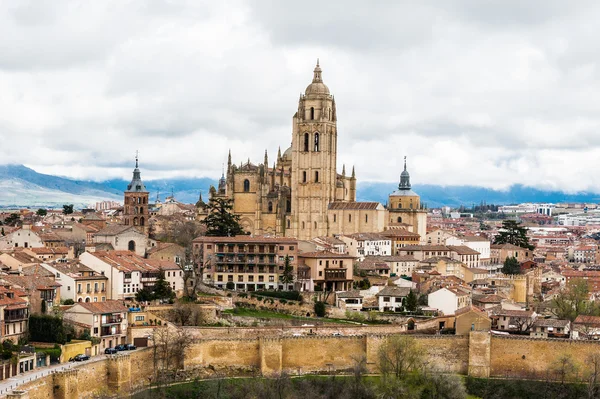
[302, 195]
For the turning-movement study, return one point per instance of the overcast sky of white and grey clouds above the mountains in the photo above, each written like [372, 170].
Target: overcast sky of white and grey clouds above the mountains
[486, 93]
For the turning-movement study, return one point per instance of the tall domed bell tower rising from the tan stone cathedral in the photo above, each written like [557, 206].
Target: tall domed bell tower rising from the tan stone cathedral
[314, 156]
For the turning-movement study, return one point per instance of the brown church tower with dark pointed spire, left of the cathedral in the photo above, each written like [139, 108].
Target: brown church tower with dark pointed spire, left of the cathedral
[135, 205]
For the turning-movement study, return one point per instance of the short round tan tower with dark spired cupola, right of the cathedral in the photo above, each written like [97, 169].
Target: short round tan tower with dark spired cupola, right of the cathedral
[405, 209]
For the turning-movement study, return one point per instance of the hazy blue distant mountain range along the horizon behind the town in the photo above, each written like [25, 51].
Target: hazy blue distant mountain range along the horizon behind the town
[23, 187]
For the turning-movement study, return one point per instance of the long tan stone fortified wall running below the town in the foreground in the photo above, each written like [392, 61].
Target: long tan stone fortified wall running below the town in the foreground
[478, 354]
